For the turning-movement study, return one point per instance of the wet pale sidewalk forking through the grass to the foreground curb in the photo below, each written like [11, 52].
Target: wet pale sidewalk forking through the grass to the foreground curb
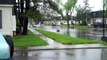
[53, 45]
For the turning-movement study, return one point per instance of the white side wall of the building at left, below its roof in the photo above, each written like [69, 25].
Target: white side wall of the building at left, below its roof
[7, 22]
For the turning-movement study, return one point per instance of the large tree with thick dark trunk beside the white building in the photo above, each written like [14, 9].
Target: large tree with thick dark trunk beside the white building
[24, 11]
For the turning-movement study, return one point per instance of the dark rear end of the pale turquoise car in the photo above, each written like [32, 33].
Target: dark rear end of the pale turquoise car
[10, 43]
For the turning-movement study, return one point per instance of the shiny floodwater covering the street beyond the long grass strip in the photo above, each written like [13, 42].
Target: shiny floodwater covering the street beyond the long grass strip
[93, 33]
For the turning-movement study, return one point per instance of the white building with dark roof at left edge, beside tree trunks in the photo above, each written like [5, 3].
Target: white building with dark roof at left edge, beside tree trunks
[7, 20]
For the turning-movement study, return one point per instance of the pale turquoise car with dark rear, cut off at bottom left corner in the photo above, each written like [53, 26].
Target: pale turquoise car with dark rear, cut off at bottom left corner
[6, 47]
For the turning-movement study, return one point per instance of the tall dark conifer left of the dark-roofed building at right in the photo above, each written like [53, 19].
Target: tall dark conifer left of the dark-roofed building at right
[83, 13]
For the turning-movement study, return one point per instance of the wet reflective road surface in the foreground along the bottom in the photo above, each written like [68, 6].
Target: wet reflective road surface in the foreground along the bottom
[73, 54]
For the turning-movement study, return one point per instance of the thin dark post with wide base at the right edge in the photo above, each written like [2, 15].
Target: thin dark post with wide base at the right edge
[104, 38]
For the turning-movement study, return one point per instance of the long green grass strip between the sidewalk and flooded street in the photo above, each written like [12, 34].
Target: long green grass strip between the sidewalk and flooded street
[64, 39]
